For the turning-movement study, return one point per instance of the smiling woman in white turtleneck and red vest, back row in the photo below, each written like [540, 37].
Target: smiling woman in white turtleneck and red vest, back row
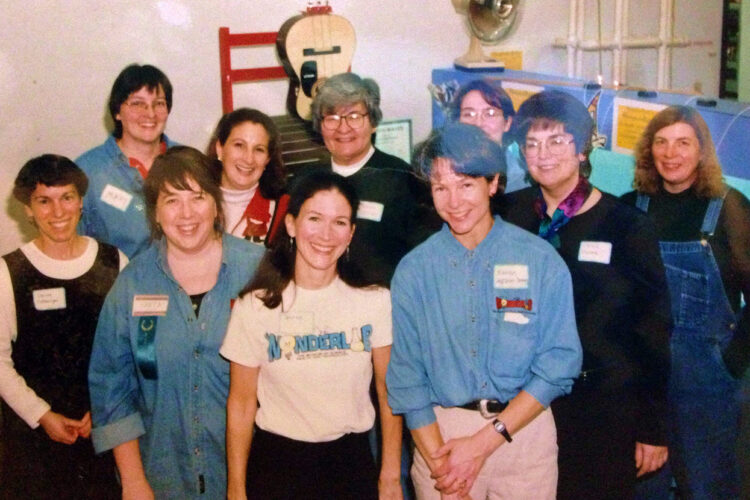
[246, 153]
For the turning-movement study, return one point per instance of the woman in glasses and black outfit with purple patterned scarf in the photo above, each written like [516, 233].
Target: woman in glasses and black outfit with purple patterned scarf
[611, 427]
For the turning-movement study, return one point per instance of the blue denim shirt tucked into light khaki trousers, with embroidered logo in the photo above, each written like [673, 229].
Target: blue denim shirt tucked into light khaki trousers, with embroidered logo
[452, 343]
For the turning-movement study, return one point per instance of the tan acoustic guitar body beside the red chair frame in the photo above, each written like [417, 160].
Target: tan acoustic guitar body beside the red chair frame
[313, 46]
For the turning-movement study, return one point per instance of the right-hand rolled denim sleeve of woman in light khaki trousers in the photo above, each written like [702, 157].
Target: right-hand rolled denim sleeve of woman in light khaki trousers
[559, 355]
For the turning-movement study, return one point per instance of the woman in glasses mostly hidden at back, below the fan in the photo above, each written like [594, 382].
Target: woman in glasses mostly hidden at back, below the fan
[484, 104]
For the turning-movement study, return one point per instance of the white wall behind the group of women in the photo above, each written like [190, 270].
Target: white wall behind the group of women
[58, 61]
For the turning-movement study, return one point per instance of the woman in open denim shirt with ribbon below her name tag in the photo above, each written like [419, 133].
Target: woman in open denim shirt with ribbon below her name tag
[158, 385]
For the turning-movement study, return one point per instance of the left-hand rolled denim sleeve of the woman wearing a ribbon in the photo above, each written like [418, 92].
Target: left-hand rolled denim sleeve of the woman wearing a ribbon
[113, 382]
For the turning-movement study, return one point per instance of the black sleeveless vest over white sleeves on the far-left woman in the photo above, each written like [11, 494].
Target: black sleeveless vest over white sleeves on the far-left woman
[53, 347]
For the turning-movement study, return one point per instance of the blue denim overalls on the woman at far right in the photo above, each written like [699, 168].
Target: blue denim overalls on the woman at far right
[704, 397]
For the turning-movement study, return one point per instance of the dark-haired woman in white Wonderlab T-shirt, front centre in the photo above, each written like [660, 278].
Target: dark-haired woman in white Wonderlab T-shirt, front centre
[303, 343]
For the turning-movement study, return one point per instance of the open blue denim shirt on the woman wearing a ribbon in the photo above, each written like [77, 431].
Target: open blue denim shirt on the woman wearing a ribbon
[179, 417]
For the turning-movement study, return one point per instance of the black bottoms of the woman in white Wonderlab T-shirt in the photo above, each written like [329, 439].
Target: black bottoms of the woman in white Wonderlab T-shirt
[282, 468]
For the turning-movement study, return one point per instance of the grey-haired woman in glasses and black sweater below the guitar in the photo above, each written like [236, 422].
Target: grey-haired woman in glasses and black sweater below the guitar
[346, 111]
